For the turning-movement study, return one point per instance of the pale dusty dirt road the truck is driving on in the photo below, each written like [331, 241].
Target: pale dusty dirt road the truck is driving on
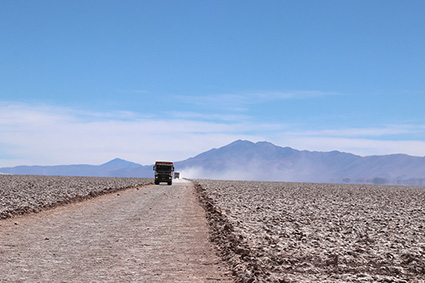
[149, 234]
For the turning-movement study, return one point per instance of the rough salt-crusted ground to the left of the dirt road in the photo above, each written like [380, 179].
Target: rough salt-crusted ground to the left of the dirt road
[21, 194]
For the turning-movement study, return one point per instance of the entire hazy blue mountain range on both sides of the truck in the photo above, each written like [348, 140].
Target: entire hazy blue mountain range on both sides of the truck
[262, 161]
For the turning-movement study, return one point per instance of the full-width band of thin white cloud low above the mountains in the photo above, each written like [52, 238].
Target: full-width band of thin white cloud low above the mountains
[47, 135]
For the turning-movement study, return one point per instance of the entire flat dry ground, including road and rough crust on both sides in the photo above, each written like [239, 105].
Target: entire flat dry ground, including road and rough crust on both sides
[241, 232]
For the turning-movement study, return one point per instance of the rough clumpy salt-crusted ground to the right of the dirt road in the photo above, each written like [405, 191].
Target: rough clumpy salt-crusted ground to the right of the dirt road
[300, 232]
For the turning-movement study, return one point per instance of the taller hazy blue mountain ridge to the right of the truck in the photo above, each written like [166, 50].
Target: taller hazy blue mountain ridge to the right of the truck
[265, 161]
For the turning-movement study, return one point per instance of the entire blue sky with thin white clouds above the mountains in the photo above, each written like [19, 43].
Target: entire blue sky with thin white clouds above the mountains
[88, 81]
